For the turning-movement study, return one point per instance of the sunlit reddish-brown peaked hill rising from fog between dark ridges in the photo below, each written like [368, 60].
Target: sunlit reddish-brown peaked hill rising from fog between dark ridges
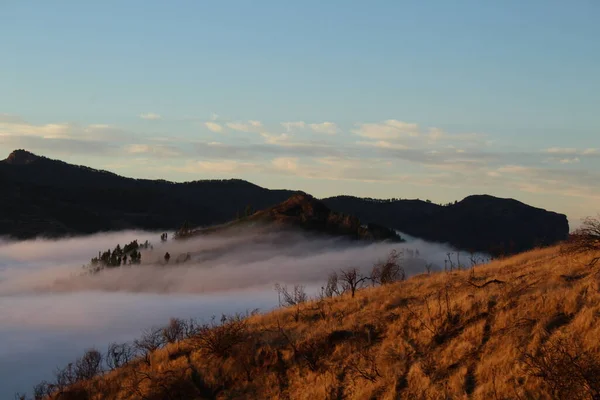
[307, 213]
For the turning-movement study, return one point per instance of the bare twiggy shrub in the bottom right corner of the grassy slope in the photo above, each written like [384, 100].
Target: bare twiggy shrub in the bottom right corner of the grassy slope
[568, 370]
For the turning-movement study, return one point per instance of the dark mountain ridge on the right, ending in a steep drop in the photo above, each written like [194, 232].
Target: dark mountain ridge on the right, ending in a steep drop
[477, 223]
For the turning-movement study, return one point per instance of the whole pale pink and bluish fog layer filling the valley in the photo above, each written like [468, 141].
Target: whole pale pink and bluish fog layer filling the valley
[51, 310]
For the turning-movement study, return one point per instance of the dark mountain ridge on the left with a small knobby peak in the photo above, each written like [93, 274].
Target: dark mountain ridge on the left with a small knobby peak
[47, 197]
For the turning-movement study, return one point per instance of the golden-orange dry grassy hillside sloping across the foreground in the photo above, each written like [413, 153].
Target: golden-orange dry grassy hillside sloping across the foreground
[525, 327]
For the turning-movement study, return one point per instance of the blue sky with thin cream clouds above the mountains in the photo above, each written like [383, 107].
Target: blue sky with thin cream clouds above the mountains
[389, 99]
